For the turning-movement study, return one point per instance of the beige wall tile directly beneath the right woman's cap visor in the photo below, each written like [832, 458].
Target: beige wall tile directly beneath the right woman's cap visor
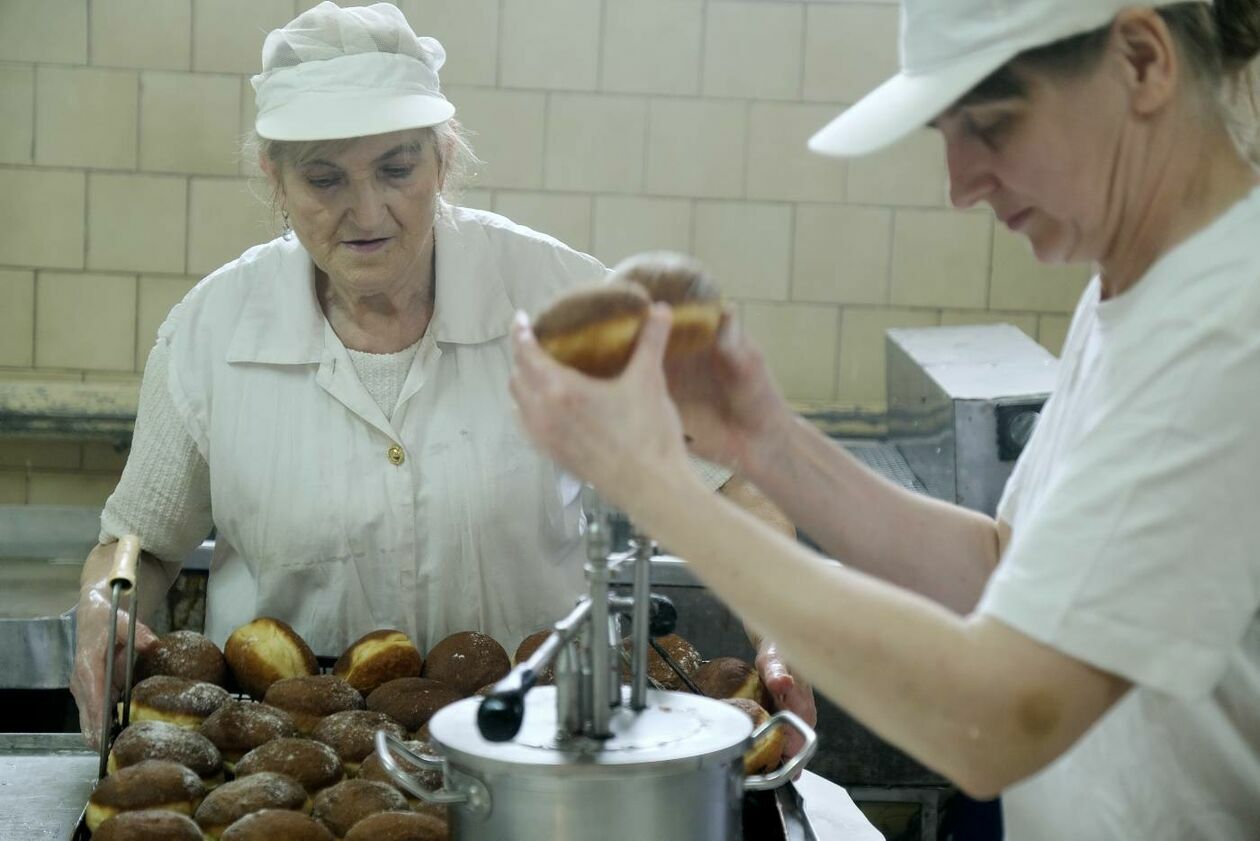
[908, 175]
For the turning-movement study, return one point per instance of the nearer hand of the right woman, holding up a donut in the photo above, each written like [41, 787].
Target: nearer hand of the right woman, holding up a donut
[617, 434]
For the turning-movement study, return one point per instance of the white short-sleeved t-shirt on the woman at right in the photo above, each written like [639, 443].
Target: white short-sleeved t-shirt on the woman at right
[1136, 548]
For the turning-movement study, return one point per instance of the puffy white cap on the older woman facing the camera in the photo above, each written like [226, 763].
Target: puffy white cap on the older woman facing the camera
[335, 74]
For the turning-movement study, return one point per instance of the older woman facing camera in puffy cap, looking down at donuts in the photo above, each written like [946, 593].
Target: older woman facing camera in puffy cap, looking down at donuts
[335, 403]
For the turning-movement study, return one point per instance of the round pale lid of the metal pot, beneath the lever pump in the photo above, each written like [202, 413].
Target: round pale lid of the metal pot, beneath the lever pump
[673, 729]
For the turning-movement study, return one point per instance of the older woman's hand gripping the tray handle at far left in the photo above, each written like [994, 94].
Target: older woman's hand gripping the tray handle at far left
[91, 637]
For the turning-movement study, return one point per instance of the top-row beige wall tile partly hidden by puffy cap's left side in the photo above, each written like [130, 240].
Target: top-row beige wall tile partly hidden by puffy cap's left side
[229, 35]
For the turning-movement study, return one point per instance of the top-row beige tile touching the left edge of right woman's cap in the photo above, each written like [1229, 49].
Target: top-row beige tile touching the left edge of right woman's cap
[850, 50]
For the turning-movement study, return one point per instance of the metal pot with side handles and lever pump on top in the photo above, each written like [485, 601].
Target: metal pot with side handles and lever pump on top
[547, 763]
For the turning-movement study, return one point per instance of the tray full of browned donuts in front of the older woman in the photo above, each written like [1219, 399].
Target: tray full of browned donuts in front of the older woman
[266, 742]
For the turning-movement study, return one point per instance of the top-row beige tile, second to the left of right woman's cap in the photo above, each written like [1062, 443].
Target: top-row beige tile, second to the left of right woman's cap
[753, 51]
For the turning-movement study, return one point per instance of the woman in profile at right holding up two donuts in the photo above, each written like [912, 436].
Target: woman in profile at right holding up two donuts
[1093, 652]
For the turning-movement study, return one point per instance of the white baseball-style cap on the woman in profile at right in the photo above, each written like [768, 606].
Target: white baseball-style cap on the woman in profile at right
[948, 47]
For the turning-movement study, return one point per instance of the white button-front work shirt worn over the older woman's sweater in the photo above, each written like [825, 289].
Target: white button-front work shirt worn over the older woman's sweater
[341, 520]
